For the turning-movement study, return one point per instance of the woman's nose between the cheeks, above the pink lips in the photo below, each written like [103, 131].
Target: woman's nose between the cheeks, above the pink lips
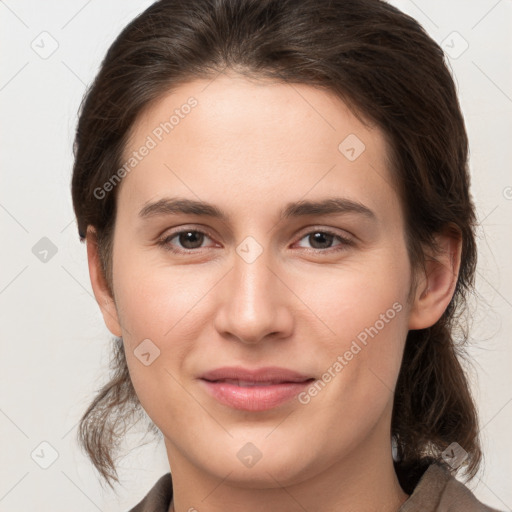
[255, 302]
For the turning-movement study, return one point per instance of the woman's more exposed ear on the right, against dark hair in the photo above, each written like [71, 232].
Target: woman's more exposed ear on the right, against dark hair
[437, 286]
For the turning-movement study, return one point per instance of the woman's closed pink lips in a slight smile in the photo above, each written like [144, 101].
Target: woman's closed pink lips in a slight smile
[254, 389]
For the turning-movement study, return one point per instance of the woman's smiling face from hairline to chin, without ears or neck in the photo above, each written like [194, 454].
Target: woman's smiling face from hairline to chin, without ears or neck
[319, 291]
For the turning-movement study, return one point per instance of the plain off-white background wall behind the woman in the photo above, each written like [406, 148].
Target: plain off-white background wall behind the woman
[55, 346]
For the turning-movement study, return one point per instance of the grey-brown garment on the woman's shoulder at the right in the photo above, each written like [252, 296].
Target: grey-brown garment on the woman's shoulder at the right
[439, 491]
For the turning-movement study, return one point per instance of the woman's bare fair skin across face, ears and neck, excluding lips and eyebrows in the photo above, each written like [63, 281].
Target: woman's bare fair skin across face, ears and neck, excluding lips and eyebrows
[251, 147]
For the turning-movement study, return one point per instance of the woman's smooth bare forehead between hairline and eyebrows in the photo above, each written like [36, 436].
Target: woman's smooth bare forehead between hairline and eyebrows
[235, 137]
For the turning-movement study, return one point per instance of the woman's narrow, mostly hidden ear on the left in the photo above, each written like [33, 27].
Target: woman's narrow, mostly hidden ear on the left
[99, 285]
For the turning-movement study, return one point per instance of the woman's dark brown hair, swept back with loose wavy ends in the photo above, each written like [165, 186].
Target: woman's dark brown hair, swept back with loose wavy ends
[390, 72]
